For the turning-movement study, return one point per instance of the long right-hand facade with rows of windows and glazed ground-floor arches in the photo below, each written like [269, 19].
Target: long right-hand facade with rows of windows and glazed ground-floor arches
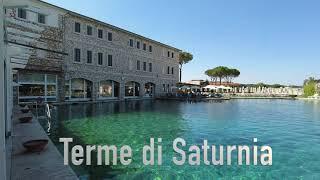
[106, 62]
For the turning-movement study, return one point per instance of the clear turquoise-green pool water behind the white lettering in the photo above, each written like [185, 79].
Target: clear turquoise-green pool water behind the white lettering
[291, 128]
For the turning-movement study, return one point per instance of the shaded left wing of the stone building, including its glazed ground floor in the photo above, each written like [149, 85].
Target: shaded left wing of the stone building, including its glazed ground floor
[35, 49]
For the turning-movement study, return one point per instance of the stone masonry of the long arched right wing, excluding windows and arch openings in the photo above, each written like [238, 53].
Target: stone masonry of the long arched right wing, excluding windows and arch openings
[124, 57]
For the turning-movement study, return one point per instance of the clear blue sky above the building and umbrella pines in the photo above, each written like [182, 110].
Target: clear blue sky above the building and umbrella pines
[269, 41]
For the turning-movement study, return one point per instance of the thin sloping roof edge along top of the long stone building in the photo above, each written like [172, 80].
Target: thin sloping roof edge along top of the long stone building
[109, 25]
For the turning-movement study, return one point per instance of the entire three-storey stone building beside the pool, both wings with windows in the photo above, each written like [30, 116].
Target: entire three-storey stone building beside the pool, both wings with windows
[57, 55]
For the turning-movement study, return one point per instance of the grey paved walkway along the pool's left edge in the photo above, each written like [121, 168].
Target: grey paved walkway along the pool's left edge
[45, 165]
